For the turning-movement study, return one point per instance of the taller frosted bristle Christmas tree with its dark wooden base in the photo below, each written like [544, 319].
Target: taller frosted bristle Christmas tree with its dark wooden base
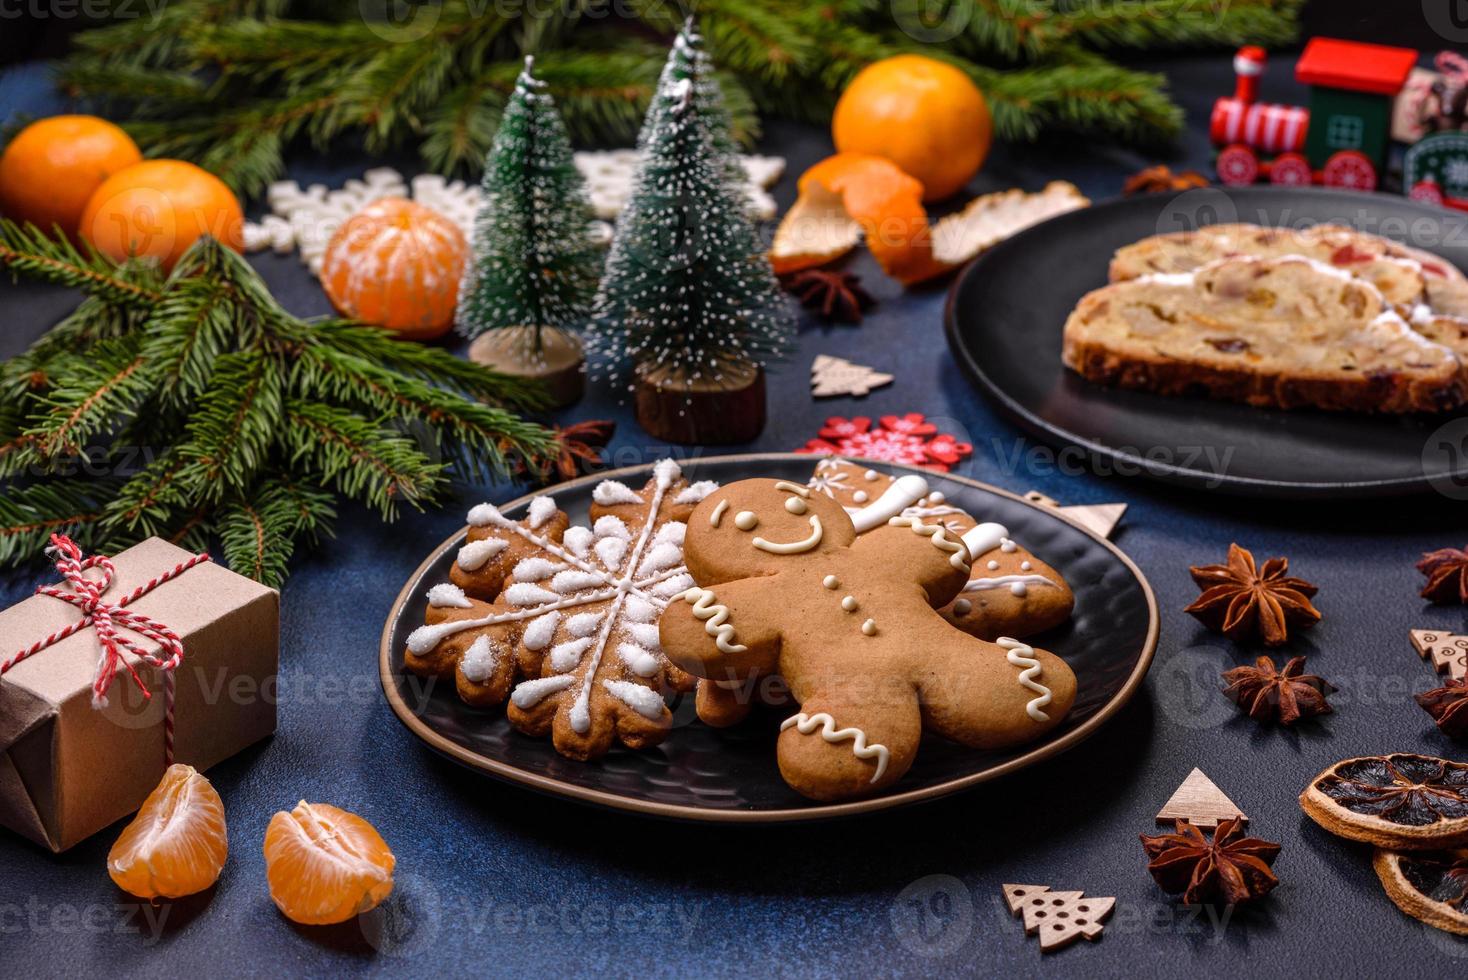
[689, 310]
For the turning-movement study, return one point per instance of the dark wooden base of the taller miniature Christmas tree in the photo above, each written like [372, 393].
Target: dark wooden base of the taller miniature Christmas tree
[704, 413]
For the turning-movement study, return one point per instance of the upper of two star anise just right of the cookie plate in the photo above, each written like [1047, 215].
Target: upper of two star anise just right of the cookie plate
[1243, 601]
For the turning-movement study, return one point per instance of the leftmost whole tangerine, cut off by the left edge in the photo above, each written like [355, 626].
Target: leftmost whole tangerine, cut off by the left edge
[54, 167]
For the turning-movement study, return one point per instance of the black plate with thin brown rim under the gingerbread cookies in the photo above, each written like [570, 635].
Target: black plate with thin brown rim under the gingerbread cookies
[705, 774]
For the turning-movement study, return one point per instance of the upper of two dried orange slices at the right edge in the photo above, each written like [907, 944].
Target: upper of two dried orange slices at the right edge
[1400, 802]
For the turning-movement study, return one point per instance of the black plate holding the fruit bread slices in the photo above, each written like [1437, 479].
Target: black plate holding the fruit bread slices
[1008, 310]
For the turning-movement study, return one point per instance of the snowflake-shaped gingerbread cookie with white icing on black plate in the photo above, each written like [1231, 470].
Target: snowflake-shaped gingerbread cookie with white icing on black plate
[563, 621]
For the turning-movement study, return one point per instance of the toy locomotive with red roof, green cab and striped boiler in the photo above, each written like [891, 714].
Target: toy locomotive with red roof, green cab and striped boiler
[1340, 142]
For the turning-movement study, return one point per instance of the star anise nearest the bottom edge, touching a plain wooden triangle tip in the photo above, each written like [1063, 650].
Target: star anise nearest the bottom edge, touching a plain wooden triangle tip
[1231, 868]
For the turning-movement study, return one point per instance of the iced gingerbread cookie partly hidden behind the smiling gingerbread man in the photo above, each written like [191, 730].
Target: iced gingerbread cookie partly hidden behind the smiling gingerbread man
[1011, 593]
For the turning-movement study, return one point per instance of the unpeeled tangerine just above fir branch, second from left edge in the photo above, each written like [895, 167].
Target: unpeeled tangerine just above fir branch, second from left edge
[159, 209]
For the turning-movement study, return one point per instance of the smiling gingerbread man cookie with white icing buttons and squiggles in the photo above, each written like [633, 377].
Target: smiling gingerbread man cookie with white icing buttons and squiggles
[786, 585]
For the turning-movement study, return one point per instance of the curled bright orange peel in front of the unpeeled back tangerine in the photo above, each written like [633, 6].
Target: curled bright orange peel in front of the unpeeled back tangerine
[848, 197]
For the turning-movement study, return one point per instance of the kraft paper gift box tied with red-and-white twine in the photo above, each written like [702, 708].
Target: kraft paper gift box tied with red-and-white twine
[68, 769]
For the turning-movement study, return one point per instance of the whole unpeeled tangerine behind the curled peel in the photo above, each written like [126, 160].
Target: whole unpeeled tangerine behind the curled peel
[924, 115]
